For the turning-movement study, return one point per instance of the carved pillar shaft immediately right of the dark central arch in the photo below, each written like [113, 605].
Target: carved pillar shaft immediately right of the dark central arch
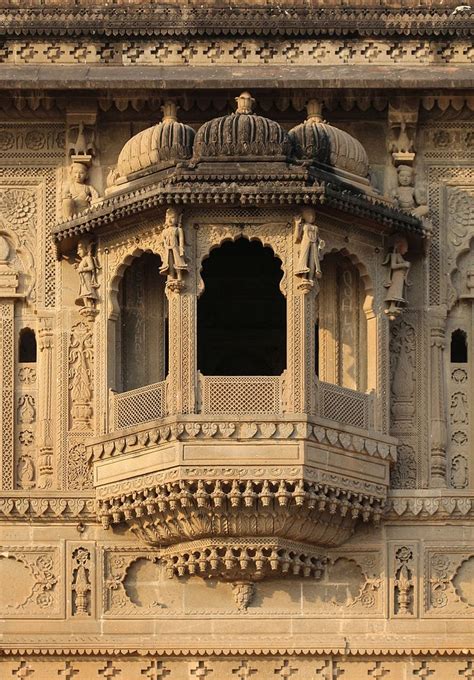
[301, 348]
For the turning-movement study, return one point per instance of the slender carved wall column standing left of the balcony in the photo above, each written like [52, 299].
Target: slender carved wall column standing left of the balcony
[45, 381]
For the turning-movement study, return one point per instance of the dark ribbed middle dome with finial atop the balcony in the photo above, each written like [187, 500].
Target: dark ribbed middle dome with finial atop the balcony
[241, 134]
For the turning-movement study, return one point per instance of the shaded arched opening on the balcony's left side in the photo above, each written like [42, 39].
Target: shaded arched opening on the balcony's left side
[142, 324]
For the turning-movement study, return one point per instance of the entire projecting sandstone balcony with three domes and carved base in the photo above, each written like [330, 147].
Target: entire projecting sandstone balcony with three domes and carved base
[240, 281]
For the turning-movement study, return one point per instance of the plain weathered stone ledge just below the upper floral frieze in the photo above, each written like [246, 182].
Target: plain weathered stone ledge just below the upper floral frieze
[188, 78]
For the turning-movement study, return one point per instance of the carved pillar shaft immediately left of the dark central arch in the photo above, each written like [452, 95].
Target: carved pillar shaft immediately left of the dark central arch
[181, 382]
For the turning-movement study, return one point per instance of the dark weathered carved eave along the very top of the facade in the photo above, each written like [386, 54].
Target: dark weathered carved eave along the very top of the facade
[160, 20]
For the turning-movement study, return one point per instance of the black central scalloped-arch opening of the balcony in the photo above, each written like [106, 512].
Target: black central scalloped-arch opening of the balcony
[242, 312]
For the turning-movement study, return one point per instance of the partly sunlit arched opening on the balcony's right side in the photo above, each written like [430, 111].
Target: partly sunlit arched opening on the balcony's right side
[342, 329]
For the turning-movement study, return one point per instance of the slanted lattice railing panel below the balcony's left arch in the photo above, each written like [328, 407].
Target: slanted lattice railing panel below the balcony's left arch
[138, 406]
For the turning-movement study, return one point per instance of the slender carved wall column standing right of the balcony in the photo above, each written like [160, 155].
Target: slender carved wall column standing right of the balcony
[438, 403]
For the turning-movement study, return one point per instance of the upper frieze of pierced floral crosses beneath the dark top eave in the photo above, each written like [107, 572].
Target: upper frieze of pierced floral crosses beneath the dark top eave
[232, 52]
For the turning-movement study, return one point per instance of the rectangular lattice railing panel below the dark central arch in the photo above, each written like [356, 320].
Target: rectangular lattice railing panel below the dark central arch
[246, 394]
